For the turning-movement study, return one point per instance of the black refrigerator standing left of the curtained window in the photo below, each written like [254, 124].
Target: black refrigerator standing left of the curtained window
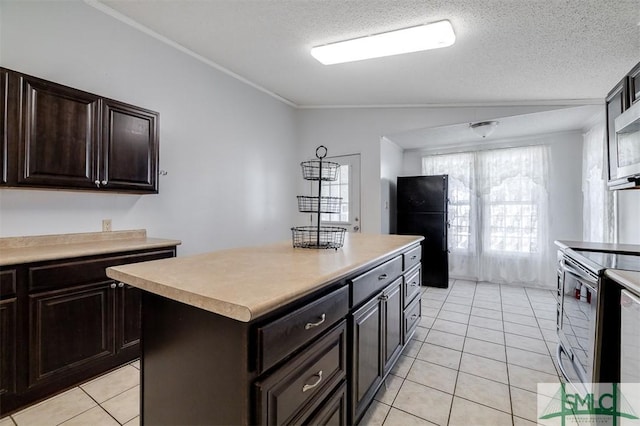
[422, 210]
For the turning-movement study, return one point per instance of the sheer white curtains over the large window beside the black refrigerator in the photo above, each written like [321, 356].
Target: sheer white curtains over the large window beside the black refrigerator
[498, 213]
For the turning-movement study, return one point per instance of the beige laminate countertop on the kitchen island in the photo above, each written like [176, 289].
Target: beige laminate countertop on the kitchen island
[246, 283]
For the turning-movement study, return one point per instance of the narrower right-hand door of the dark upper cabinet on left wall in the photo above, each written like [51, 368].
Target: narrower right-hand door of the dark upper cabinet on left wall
[129, 146]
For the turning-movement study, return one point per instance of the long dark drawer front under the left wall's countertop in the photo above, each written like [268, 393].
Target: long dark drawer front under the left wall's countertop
[82, 271]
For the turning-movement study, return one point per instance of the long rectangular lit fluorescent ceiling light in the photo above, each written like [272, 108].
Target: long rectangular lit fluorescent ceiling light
[413, 39]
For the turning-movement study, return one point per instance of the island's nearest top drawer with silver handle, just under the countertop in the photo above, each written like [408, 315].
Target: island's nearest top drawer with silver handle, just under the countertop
[283, 336]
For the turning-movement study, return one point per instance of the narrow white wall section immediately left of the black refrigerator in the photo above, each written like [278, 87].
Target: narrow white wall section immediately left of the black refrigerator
[390, 169]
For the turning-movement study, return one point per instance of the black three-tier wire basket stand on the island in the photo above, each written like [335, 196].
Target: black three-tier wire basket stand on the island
[319, 236]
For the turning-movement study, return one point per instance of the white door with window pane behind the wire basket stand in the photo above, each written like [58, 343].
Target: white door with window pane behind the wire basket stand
[346, 186]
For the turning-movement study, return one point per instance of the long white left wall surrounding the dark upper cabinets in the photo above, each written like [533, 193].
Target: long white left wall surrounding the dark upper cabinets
[229, 150]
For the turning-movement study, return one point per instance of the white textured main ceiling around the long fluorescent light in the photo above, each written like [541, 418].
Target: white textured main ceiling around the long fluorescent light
[506, 52]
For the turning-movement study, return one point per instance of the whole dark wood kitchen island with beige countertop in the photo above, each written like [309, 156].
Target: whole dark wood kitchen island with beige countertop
[273, 334]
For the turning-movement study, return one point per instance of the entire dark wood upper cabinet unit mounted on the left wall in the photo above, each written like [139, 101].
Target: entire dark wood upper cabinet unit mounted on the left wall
[59, 137]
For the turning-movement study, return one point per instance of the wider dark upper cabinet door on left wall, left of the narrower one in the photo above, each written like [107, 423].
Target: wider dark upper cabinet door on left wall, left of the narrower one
[58, 134]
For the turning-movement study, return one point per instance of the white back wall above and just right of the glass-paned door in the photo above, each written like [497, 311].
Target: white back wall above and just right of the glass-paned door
[359, 130]
